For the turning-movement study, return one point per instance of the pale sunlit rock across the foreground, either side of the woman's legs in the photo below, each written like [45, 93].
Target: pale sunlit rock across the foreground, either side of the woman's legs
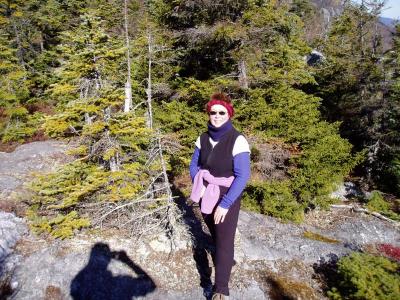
[103, 262]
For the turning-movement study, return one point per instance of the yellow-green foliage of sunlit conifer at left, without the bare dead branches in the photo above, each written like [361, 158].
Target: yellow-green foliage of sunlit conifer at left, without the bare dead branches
[110, 158]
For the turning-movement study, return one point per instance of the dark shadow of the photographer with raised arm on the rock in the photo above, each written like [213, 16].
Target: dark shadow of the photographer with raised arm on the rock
[95, 281]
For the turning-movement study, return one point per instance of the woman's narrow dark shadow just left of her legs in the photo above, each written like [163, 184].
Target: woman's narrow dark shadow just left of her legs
[202, 242]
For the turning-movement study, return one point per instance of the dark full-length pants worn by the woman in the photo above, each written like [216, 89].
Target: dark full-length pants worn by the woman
[223, 235]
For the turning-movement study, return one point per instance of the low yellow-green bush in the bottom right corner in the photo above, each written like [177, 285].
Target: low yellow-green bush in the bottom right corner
[364, 276]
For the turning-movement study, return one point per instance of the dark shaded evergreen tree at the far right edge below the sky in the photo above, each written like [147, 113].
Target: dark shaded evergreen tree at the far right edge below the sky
[352, 82]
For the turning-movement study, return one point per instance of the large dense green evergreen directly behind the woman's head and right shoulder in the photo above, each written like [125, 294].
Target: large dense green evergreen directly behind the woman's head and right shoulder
[258, 56]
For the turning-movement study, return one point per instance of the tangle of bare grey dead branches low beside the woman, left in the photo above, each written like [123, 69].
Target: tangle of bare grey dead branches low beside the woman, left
[153, 211]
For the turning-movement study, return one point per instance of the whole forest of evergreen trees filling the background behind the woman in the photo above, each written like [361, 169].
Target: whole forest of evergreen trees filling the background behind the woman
[123, 80]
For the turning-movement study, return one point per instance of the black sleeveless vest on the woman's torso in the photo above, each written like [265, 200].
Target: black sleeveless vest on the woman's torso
[218, 160]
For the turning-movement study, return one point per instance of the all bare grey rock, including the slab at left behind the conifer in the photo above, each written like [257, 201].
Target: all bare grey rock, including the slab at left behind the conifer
[105, 264]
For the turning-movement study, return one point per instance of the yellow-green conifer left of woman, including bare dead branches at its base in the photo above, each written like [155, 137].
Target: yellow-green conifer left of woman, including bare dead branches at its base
[119, 175]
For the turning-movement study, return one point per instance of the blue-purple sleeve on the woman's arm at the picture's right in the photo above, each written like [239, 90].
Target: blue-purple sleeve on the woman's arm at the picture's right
[241, 171]
